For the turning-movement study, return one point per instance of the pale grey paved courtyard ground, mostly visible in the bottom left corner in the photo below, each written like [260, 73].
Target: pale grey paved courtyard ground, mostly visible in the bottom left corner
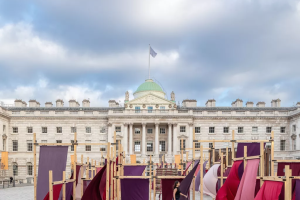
[26, 193]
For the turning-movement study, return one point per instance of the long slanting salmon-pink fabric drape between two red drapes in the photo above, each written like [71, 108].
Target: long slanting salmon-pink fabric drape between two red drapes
[246, 188]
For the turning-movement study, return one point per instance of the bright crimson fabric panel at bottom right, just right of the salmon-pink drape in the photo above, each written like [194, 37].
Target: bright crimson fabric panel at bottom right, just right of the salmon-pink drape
[270, 190]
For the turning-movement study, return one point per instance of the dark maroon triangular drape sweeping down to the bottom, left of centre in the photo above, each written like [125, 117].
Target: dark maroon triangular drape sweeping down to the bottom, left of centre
[92, 191]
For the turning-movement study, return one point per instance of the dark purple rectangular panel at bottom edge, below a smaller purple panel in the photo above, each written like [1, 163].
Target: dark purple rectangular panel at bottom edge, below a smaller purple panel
[135, 189]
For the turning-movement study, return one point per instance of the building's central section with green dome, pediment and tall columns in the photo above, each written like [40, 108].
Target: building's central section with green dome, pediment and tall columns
[146, 130]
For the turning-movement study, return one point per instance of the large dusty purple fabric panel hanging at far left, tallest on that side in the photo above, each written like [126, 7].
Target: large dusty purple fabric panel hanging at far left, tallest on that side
[51, 158]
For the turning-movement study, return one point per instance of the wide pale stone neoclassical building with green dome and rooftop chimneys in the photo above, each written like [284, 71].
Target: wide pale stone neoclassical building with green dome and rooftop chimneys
[149, 124]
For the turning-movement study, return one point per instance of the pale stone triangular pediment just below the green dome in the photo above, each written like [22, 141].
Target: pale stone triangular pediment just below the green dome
[150, 99]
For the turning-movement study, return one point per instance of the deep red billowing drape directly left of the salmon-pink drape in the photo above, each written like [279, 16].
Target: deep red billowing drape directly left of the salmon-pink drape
[229, 189]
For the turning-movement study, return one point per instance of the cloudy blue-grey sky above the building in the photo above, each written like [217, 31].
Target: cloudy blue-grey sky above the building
[74, 49]
